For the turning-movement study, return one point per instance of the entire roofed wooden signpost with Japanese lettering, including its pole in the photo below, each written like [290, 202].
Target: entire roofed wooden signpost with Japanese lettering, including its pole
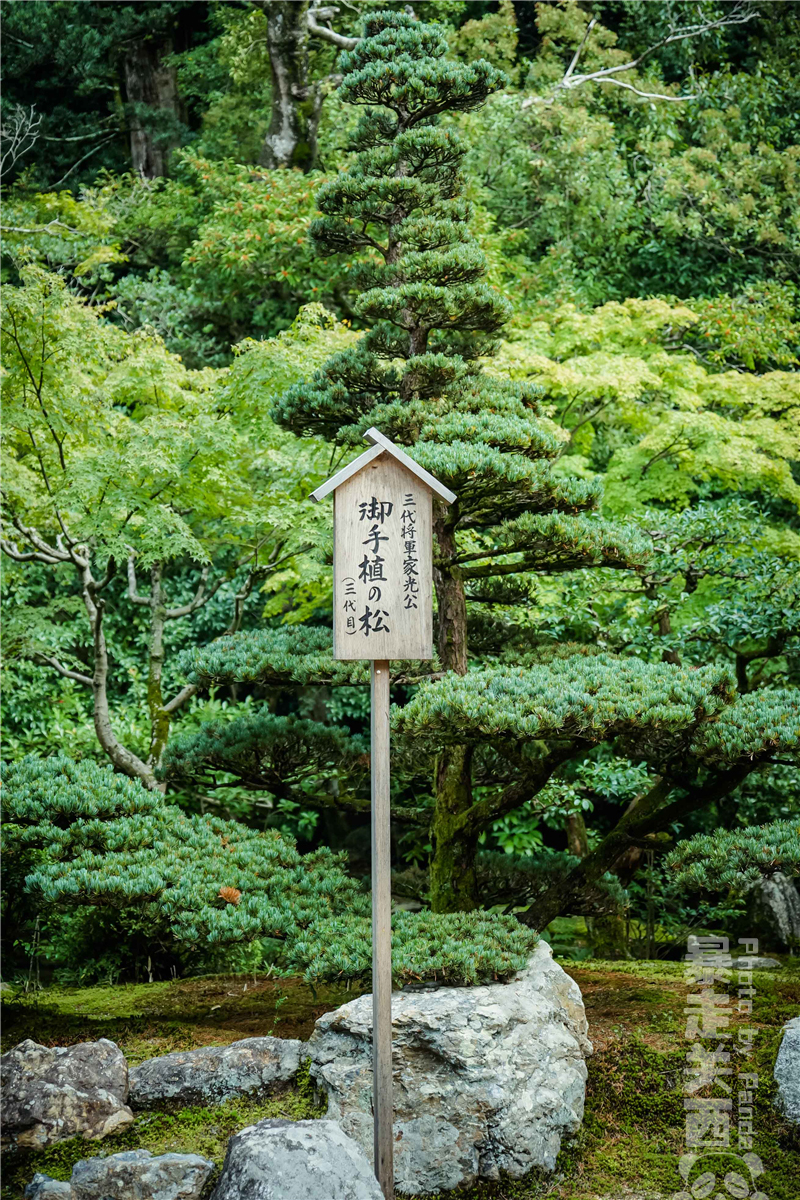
[383, 609]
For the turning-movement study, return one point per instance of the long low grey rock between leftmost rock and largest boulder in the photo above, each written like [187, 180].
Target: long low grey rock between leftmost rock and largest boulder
[214, 1075]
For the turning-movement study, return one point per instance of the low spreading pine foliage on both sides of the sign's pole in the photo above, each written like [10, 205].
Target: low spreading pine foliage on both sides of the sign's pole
[101, 839]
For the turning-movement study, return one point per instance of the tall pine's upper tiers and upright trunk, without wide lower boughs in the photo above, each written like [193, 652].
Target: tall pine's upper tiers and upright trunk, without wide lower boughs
[417, 375]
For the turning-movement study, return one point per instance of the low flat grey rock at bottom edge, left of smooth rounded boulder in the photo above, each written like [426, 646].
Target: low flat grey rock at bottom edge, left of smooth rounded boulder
[139, 1175]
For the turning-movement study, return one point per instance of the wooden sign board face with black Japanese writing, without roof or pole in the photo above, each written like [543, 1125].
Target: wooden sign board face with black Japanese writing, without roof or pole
[383, 595]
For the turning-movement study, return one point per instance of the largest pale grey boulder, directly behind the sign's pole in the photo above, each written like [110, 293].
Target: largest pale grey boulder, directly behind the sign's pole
[486, 1079]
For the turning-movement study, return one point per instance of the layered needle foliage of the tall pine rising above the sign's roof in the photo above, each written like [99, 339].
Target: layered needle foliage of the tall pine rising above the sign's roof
[423, 293]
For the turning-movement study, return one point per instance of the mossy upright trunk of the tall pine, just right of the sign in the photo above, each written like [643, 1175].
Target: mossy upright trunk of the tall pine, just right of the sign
[454, 885]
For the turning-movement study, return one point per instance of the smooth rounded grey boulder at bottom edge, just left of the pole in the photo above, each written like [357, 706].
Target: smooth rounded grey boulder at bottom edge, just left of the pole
[296, 1161]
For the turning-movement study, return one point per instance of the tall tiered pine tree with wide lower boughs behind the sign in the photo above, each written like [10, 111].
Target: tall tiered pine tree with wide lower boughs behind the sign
[506, 713]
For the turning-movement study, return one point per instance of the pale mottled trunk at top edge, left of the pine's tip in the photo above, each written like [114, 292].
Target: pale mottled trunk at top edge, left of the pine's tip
[297, 105]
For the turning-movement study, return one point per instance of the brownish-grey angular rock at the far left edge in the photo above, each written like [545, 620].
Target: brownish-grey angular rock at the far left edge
[51, 1094]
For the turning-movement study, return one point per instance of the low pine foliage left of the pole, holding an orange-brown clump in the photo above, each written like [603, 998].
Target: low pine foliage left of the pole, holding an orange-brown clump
[111, 843]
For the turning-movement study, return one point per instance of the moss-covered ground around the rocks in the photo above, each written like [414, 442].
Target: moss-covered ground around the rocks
[628, 1149]
